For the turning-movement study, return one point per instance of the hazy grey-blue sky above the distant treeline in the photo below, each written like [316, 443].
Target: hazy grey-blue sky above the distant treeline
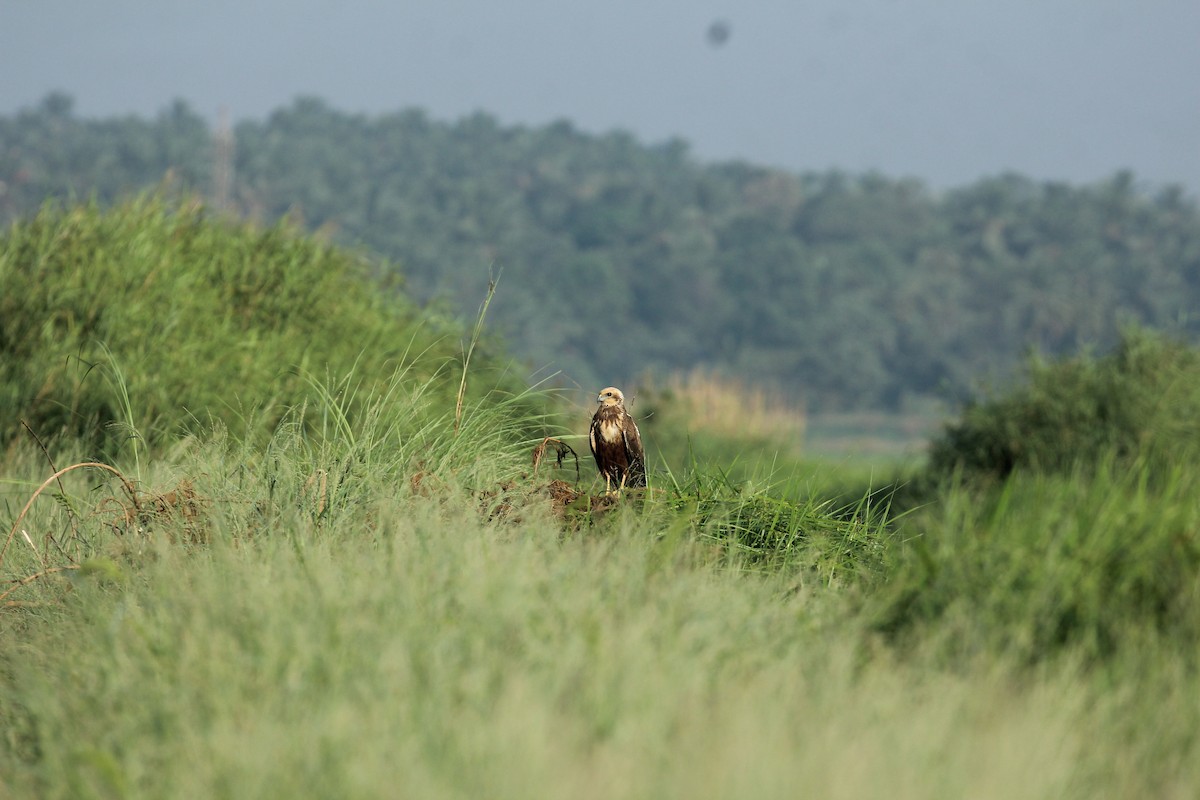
[944, 91]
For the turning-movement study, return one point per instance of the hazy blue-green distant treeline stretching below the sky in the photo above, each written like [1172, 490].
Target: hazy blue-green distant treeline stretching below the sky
[620, 257]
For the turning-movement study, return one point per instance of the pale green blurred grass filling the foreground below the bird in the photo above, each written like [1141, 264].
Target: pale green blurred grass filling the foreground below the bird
[409, 646]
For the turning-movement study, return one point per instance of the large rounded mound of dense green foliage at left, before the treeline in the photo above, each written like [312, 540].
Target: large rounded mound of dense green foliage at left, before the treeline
[153, 316]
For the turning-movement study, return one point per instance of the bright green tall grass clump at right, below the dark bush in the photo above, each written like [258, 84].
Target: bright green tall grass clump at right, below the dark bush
[1093, 562]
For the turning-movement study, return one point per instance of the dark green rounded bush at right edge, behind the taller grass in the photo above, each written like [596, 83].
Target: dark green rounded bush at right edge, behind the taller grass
[1139, 402]
